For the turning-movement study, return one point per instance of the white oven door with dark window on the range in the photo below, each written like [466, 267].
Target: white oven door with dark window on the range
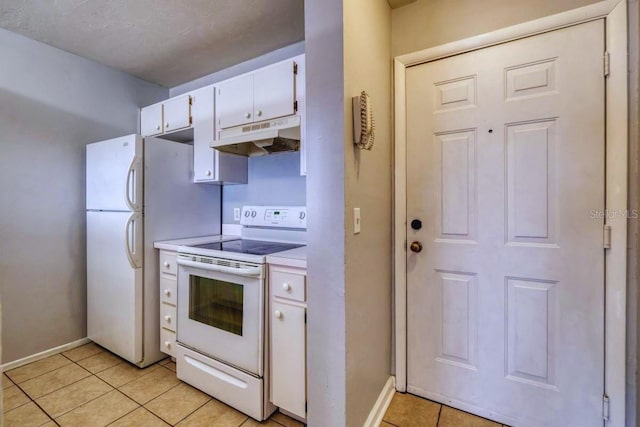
[220, 313]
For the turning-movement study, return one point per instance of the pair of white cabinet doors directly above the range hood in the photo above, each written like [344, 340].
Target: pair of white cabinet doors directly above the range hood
[264, 94]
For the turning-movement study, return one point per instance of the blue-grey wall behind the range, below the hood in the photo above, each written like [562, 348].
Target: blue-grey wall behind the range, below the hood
[273, 180]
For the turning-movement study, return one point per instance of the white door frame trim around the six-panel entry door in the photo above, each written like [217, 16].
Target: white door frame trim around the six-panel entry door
[616, 130]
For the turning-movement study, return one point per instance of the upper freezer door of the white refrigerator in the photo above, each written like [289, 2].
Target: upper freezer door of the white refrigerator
[114, 174]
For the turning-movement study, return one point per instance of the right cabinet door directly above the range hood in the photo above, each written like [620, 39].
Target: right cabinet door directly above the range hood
[274, 91]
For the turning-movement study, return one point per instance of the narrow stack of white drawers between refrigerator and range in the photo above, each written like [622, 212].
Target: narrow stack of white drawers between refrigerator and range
[168, 300]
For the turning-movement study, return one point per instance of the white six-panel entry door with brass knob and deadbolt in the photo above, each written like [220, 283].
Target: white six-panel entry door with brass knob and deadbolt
[505, 169]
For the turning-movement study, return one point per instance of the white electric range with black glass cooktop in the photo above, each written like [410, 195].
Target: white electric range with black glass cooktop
[221, 307]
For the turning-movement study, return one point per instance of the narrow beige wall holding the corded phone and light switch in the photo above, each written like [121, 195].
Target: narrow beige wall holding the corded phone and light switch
[368, 256]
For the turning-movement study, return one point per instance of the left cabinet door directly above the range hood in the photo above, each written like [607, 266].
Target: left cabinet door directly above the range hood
[234, 101]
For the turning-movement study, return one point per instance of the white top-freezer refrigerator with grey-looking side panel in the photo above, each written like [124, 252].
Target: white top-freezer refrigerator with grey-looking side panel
[137, 191]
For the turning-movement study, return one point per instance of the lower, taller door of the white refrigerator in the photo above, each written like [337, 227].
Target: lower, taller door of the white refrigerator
[114, 282]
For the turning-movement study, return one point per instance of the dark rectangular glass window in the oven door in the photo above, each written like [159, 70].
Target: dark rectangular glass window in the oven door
[216, 303]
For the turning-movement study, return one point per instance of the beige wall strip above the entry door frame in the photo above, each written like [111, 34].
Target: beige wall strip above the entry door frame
[428, 23]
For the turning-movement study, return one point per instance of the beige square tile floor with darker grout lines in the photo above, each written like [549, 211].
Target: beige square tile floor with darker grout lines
[90, 387]
